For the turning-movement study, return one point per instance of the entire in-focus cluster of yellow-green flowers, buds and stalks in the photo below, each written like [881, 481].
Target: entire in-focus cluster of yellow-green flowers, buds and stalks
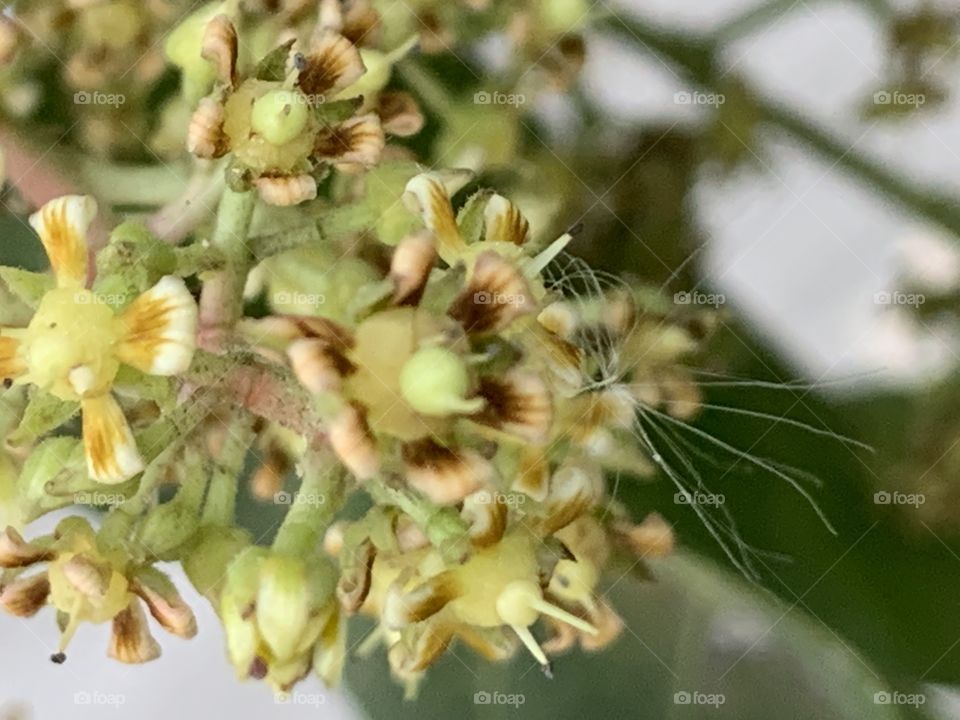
[470, 396]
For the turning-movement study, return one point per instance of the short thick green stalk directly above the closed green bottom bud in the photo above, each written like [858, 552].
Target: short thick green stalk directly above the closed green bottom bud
[313, 507]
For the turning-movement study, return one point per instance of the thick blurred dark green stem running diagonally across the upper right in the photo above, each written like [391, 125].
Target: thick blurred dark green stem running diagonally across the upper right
[697, 59]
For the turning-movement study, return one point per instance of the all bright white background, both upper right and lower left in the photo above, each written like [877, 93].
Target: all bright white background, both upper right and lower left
[800, 250]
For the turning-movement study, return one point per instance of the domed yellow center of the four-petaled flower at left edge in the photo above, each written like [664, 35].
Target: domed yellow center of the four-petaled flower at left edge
[69, 345]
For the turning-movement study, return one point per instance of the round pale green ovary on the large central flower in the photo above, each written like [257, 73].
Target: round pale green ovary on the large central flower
[435, 381]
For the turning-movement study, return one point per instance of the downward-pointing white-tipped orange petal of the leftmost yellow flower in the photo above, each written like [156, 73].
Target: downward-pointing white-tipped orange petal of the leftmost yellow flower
[111, 451]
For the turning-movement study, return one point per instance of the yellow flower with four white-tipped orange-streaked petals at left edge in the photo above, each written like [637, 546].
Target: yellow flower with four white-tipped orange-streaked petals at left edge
[75, 344]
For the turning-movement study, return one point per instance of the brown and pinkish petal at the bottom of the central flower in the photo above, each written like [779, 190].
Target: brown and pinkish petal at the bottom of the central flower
[443, 474]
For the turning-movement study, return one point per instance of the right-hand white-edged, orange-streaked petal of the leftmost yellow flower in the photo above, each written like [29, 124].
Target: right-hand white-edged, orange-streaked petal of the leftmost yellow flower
[159, 329]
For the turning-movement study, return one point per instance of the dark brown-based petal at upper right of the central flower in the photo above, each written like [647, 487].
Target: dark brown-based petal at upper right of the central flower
[496, 295]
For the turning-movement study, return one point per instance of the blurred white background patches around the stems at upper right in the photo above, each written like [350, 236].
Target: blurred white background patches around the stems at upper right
[799, 248]
